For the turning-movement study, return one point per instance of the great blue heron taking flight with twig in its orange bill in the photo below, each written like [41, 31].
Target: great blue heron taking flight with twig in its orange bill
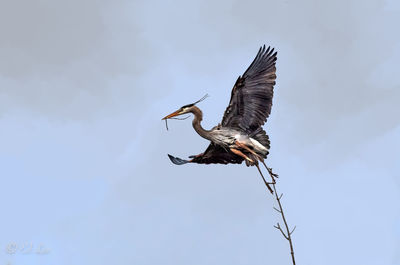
[240, 135]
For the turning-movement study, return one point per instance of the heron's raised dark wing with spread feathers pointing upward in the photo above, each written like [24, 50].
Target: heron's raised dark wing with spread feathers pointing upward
[251, 97]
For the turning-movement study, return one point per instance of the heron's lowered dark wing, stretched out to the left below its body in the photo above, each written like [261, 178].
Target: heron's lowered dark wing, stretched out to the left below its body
[214, 154]
